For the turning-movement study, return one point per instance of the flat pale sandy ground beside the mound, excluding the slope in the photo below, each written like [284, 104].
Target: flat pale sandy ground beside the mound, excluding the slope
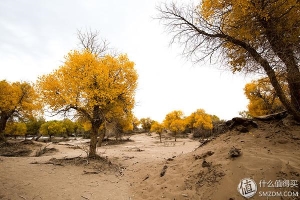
[19, 179]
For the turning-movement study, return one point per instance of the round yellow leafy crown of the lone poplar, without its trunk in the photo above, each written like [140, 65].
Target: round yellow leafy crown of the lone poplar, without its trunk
[86, 81]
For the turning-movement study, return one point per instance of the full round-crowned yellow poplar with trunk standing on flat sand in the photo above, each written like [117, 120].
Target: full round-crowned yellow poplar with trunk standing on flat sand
[93, 86]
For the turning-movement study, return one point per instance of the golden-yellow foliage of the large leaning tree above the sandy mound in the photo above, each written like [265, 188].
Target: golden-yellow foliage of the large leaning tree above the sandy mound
[243, 20]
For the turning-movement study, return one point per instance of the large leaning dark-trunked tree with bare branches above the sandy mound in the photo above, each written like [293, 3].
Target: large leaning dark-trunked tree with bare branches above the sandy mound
[250, 35]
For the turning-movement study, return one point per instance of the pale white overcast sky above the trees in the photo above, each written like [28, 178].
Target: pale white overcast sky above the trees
[37, 34]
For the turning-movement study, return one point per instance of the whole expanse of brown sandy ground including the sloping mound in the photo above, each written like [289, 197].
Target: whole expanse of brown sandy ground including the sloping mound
[169, 170]
